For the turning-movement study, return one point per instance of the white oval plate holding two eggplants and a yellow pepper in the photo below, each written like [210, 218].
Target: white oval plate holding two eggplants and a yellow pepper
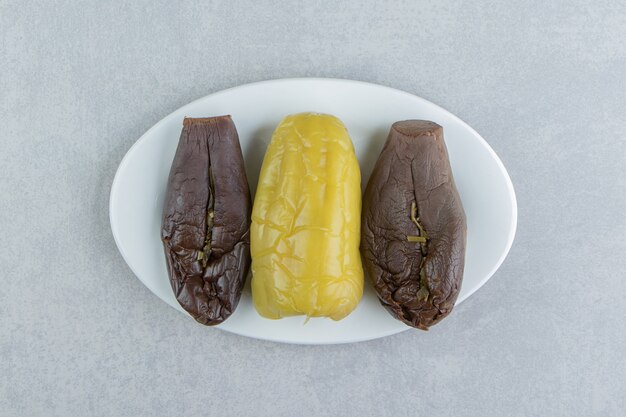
[368, 110]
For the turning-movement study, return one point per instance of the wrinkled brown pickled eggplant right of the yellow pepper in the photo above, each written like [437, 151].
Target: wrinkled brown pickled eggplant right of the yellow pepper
[413, 168]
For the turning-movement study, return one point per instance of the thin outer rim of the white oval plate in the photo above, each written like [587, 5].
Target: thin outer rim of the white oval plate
[503, 171]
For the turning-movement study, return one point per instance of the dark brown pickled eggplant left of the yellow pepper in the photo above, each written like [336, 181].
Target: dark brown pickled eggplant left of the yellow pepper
[206, 220]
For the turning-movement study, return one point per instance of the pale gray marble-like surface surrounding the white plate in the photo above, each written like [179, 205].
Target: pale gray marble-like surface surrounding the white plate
[543, 82]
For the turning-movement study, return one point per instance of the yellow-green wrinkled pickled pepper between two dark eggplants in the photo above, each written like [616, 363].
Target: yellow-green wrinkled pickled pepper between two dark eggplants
[306, 222]
